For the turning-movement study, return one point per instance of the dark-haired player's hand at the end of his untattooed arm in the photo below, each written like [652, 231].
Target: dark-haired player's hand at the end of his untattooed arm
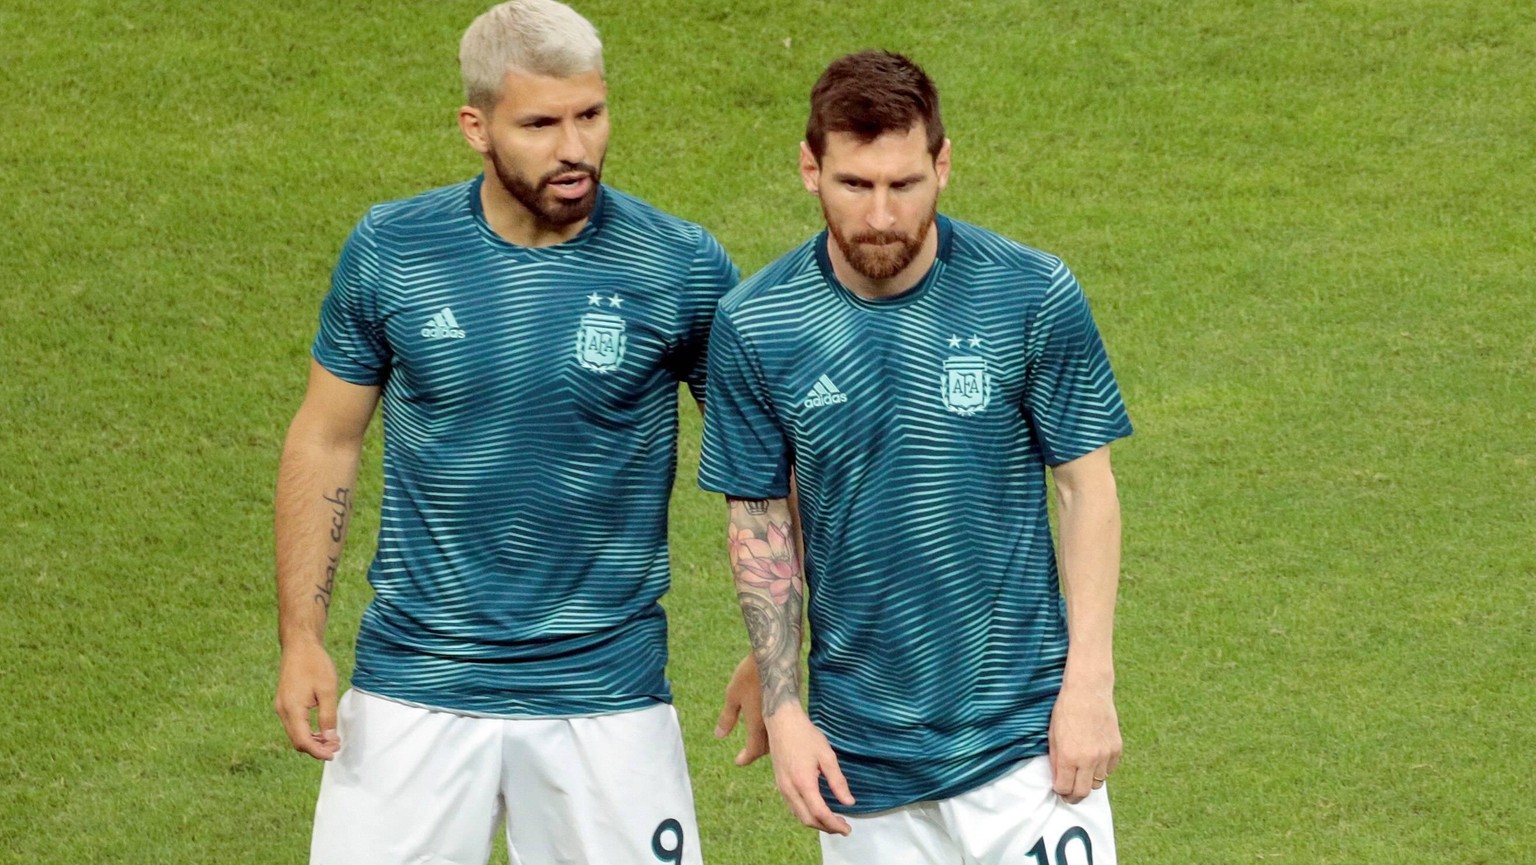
[1085, 740]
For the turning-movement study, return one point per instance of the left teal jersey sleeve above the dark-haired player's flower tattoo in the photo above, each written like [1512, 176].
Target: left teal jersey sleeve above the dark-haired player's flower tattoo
[746, 454]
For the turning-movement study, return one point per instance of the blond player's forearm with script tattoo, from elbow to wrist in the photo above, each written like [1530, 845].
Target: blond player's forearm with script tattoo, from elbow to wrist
[313, 512]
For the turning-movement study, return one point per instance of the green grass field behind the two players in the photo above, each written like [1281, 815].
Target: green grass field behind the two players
[1306, 228]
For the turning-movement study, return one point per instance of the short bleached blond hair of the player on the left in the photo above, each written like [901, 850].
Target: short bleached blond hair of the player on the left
[537, 38]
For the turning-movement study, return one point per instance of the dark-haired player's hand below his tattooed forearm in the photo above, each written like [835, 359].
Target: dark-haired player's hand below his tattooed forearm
[801, 757]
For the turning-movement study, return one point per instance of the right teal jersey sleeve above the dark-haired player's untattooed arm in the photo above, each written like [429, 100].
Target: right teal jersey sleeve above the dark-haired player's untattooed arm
[1071, 396]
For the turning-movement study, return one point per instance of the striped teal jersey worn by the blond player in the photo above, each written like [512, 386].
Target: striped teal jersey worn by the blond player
[531, 436]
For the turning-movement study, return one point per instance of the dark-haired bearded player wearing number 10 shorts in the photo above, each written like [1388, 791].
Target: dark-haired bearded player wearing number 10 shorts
[916, 377]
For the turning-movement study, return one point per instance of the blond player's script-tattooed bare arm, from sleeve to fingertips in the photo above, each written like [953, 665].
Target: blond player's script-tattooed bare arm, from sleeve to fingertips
[313, 512]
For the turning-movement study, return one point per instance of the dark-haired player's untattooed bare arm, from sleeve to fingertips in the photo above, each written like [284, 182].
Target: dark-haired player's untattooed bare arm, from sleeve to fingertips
[1085, 731]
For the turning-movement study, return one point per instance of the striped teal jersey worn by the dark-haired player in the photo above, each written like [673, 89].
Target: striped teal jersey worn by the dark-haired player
[919, 429]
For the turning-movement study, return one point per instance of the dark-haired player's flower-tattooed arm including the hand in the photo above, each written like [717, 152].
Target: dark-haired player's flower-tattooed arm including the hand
[772, 591]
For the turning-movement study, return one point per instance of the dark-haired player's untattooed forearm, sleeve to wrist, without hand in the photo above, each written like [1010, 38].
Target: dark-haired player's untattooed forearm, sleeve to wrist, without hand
[1090, 560]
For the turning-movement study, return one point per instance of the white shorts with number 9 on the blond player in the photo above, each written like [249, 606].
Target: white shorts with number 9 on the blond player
[414, 786]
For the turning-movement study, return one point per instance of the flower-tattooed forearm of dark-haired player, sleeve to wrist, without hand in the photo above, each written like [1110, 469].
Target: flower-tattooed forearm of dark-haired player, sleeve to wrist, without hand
[772, 592]
